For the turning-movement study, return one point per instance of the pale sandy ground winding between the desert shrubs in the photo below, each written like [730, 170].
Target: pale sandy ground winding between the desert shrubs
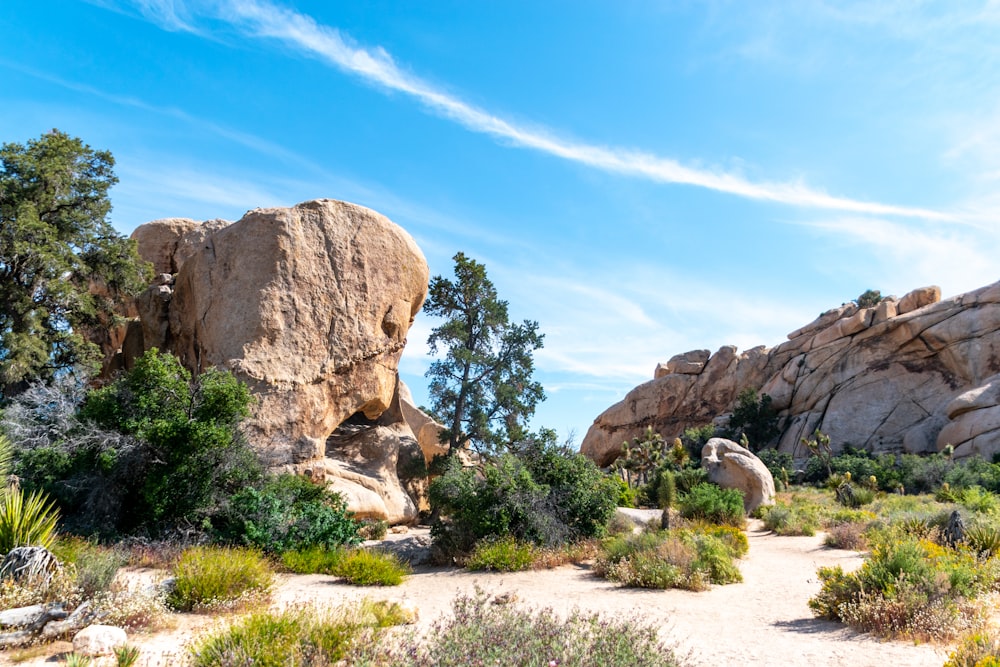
[763, 621]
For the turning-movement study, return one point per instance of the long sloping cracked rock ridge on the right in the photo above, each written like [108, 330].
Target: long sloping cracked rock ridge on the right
[914, 375]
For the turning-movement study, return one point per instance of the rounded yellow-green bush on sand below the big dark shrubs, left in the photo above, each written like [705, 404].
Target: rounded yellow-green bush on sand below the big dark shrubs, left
[209, 577]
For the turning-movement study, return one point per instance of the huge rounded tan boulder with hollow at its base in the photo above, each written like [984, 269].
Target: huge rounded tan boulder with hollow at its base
[310, 306]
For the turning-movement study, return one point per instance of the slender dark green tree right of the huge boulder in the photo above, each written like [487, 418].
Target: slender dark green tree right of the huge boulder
[482, 386]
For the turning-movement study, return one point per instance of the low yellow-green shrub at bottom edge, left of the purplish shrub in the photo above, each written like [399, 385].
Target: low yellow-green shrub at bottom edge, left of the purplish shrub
[299, 636]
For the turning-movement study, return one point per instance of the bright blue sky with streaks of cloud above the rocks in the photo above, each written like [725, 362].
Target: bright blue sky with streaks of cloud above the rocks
[641, 178]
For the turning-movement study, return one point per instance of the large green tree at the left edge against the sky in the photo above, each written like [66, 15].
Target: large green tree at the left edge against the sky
[63, 268]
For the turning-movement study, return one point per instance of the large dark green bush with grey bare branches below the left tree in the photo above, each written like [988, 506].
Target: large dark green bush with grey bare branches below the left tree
[150, 450]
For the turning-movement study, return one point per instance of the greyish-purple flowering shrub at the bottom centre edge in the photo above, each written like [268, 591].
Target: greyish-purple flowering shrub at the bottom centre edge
[481, 633]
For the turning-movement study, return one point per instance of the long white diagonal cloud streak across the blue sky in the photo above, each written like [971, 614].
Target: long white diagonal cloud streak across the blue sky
[302, 33]
